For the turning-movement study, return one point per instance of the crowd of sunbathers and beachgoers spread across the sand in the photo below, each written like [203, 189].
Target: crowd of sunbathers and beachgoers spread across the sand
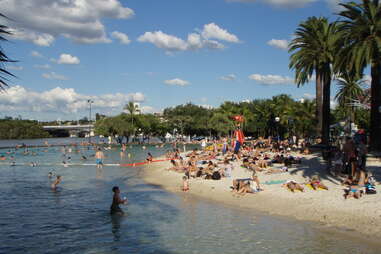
[267, 156]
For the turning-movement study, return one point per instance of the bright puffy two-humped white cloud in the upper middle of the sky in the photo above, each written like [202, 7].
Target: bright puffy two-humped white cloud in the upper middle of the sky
[194, 40]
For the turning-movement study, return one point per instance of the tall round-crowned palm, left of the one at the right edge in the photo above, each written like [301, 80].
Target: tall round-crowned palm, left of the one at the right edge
[313, 51]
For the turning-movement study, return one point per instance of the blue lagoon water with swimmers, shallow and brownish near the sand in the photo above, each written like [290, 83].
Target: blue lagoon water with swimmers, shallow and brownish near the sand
[75, 218]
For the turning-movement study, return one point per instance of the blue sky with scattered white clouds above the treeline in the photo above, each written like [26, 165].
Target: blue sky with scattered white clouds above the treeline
[158, 53]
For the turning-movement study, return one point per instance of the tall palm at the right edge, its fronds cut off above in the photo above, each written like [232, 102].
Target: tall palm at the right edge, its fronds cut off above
[361, 30]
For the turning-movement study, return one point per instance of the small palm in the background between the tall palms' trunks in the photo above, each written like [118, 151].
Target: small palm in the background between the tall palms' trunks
[350, 89]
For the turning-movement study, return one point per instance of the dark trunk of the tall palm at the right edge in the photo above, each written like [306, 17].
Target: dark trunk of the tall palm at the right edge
[375, 114]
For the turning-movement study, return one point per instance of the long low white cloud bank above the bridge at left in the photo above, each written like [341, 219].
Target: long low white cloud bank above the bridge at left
[62, 100]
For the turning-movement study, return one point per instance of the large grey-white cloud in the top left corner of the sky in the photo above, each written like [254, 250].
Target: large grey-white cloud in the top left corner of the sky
[42, 21]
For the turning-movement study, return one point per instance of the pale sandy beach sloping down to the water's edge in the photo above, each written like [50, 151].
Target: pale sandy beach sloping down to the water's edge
[328, 208]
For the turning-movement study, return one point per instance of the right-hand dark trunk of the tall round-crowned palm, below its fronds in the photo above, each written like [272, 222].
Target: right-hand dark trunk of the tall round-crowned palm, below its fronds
[326, 109]
